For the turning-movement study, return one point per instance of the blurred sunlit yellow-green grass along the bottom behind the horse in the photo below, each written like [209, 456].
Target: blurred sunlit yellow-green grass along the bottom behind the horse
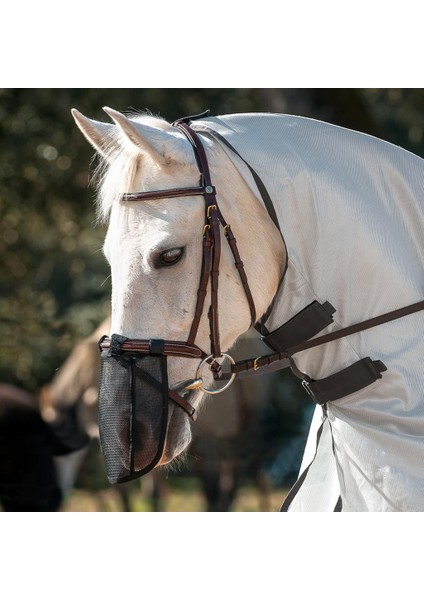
[182, 495]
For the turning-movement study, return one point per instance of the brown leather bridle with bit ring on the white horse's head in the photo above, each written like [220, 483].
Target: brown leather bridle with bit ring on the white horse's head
[211, 256]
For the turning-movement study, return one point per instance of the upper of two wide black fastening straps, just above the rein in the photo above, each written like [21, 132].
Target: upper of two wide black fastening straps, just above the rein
[308, 322]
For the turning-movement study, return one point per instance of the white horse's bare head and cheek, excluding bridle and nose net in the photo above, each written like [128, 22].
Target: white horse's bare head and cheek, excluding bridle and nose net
[154, 247]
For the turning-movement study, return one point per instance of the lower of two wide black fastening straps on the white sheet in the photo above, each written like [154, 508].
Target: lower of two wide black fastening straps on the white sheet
[348, 381]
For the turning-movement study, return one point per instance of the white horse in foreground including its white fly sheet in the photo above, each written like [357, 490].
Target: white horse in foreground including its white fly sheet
[342, 221]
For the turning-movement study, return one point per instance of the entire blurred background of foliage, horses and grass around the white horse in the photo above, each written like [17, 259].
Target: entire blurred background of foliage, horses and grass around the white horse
[55, 292]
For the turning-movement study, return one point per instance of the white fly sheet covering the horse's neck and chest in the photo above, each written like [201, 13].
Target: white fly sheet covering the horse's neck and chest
[350, 209]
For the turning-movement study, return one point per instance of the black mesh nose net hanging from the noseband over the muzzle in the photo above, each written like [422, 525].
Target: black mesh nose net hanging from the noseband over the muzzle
[133, 411]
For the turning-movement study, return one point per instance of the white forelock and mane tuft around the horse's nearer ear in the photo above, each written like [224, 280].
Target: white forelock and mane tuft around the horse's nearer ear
[119, 163]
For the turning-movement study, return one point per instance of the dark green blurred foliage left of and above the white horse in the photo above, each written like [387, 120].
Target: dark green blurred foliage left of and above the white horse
[54, 281]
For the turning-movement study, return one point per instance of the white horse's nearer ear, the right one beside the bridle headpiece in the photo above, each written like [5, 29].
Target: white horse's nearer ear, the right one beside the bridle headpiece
[150, 140]
